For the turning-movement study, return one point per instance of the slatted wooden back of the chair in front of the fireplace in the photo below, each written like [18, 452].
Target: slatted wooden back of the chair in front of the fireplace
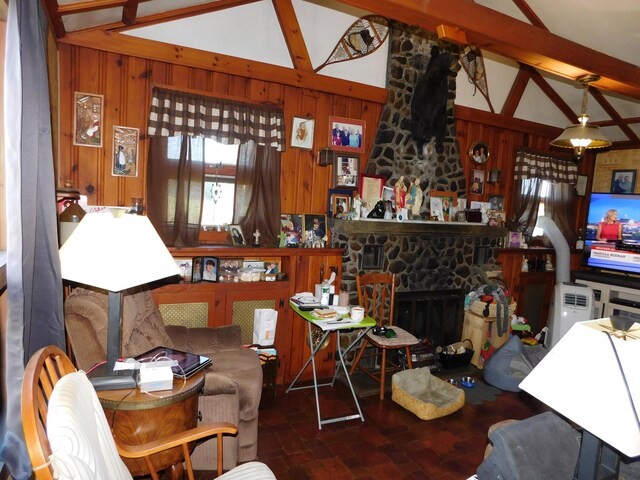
[376, 294]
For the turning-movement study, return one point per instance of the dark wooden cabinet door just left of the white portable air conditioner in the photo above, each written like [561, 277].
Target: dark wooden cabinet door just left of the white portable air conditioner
[534, 298]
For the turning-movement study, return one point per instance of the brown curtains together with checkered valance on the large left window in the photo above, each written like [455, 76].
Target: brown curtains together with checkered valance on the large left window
[260, 131]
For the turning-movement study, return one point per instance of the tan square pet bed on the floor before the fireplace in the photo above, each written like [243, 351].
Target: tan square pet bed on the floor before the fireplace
[425, 395]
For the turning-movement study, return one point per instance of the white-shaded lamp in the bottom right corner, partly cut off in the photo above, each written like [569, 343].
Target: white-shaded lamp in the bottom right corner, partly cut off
[592, 377]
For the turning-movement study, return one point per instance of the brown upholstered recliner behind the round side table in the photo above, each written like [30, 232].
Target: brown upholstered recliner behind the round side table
[233, 382]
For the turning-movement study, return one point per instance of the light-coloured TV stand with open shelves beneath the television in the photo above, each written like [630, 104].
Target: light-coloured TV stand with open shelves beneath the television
[613, 294]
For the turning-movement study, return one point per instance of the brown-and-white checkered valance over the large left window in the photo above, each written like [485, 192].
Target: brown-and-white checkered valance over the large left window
[226, 121]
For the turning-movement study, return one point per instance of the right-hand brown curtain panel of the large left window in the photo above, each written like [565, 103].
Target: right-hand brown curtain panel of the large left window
[257, 202]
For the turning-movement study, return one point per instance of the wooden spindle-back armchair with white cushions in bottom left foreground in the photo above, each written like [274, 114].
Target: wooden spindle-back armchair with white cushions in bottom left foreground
[45, 371]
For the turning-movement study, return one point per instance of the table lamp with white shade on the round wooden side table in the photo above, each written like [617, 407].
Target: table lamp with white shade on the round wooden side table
[115, 251]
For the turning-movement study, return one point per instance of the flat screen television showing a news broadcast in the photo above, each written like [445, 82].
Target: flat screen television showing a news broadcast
[622, 255]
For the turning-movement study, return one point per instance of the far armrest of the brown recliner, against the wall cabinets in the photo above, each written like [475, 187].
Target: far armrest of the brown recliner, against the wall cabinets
[204, 341]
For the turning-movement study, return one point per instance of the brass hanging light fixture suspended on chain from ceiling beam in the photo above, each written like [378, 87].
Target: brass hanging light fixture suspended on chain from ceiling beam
[582, 136]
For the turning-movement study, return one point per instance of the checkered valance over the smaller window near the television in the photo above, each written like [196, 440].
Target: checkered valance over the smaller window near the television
[531, 164]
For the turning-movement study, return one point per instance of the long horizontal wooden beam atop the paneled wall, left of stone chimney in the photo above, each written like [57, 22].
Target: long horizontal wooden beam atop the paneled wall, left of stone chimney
[119, 43]
